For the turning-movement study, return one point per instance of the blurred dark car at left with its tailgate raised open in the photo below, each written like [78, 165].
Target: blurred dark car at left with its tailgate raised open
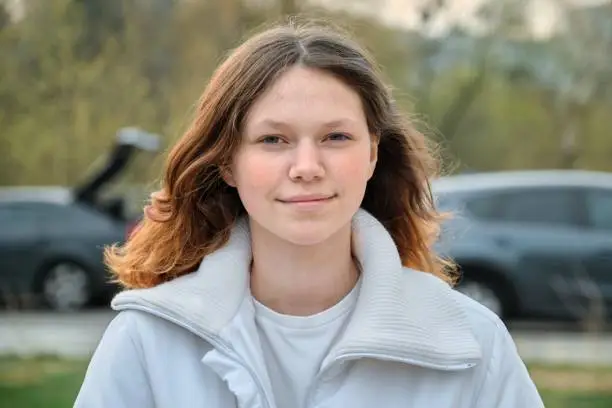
[52, 238]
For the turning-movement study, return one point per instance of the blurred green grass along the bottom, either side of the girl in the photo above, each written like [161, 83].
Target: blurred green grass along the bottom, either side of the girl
[49, 382]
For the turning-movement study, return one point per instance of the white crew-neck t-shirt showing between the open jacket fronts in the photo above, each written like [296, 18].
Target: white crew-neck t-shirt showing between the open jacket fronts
[294, 346]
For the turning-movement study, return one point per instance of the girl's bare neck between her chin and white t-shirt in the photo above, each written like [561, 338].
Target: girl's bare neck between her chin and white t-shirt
[301, 280]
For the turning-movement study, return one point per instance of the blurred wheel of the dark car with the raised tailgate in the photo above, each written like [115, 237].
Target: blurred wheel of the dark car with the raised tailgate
[66, 285]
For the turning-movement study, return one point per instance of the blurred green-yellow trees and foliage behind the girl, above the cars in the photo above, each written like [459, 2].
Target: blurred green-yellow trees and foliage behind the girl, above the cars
[72, 72]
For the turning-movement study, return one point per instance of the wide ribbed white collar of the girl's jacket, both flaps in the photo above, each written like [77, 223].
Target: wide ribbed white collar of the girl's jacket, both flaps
[401, 314]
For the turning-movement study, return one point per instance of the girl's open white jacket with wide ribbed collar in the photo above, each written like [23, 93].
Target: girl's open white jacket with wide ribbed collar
[412, 341]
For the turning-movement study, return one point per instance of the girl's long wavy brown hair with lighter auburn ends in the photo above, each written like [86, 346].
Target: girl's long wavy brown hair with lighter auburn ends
[191, 215]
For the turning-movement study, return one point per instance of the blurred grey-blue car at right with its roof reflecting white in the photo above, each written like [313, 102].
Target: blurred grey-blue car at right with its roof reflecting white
[531, 244]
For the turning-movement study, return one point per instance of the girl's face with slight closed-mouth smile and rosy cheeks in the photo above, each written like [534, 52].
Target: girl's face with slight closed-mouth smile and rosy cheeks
[305, 158]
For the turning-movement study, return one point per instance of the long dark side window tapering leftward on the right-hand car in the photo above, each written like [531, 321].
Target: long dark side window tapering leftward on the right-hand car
[549, 206]
